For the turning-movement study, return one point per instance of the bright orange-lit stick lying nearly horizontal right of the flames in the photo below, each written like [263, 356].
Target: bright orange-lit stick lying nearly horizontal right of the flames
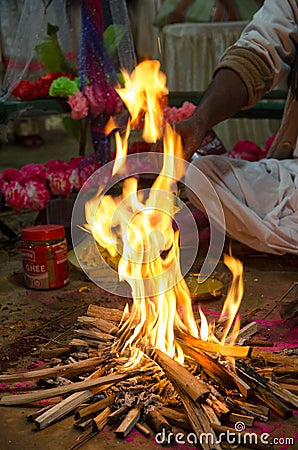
[211, 347]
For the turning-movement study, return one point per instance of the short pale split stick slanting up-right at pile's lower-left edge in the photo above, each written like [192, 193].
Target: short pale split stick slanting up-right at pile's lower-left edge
[61, 409]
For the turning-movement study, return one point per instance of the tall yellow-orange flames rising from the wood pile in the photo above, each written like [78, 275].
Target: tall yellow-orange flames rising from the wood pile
[138, 226]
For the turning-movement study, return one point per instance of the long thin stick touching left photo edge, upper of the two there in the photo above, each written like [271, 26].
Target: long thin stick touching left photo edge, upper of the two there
[68, 370]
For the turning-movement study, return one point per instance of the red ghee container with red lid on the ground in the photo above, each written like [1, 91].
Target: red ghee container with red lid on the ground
[44, 256]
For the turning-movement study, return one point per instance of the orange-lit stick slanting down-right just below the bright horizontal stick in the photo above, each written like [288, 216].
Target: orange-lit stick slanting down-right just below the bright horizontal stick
[216, 371]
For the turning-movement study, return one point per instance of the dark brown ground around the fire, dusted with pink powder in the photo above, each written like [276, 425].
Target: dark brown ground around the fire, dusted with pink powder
[32, 320]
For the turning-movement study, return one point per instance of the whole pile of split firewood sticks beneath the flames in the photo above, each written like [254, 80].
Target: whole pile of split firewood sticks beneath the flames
[89, 379]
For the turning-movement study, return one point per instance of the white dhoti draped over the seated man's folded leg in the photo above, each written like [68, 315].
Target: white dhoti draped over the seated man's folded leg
[259, 199]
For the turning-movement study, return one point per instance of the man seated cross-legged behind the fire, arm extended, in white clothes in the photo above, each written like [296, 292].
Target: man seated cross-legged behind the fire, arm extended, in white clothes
[259, 199]
